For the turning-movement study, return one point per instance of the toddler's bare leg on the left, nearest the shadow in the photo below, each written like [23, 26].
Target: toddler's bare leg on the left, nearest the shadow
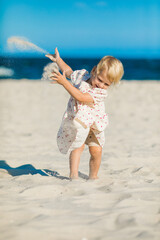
[74, 160]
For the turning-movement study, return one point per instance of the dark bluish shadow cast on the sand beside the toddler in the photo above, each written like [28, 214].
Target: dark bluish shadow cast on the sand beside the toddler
[29, 169]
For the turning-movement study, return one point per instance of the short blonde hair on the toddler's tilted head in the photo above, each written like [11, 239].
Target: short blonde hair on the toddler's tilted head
[112, 66]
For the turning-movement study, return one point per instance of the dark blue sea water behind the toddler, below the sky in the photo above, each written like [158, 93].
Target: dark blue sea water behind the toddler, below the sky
[32, 68]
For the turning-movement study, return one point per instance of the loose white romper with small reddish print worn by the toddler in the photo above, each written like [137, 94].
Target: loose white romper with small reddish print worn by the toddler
[80, 118]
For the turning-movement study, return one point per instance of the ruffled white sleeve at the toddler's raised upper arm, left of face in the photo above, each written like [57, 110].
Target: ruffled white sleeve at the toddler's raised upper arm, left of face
[78, 76]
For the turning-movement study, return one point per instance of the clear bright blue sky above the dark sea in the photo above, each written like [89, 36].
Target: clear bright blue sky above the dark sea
[93, 28]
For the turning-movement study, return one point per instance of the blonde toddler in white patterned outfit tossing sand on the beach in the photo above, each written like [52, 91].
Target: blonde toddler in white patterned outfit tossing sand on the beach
[85, 119]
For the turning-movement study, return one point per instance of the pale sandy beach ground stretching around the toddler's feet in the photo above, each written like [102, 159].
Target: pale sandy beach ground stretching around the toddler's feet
[38, 201]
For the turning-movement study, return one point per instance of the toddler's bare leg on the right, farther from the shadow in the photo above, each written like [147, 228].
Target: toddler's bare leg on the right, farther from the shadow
[95, 161]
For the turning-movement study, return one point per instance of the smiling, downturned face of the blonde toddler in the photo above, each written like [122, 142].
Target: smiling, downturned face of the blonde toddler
[99, 80]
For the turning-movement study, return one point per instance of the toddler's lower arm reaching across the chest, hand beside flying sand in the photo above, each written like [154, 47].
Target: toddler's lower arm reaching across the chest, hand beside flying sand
[74, 92]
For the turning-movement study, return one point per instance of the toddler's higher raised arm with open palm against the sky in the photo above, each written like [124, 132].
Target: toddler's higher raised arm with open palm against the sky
[61, 64]
